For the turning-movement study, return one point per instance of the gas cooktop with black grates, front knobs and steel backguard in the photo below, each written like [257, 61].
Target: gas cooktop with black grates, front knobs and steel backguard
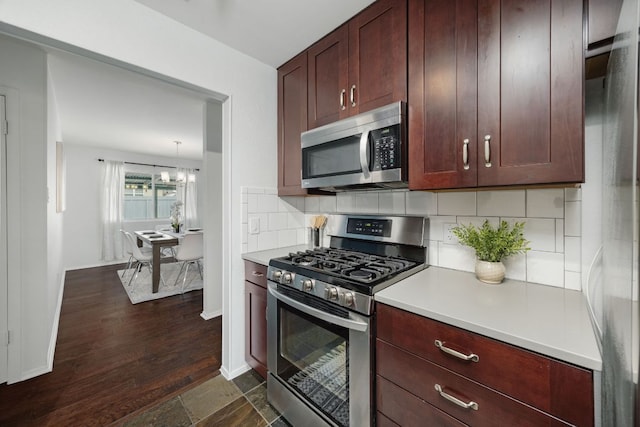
[366, 254]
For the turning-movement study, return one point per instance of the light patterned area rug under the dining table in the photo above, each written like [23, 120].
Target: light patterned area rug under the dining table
[140, 289]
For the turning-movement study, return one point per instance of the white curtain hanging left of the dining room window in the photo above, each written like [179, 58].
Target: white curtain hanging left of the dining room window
[111, 201]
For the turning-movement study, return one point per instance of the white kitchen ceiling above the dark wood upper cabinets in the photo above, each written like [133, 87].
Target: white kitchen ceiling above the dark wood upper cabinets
[271, 31]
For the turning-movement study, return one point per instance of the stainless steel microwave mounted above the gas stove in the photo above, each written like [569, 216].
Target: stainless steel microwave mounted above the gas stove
[368, 150]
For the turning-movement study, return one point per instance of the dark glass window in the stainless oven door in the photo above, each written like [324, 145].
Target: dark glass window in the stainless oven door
[313, 359]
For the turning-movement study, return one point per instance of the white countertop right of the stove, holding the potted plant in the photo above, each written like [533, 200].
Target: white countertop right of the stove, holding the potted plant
[544, 319]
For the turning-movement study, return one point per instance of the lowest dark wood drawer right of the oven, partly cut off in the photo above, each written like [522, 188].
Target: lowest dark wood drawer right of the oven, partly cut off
[398, 407]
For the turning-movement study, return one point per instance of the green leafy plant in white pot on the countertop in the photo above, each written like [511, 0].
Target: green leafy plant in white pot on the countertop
[491, 246]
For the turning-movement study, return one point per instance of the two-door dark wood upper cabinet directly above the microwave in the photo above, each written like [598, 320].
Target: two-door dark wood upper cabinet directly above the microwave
[361, 65]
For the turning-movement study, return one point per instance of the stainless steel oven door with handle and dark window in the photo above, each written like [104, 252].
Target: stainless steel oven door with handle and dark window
[319, 362]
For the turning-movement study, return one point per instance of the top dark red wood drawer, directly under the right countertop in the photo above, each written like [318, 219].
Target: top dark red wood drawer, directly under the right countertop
[555, 387]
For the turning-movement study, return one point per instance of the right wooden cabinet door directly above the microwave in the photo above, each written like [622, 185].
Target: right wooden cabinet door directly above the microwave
[378, 56]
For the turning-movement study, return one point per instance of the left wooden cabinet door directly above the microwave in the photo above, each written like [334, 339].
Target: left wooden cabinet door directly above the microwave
[328, 68]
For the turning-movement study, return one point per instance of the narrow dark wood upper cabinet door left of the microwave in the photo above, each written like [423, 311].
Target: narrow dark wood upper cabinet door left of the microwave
[292, 121]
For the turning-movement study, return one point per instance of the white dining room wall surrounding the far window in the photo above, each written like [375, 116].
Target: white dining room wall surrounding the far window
[82, 223]
